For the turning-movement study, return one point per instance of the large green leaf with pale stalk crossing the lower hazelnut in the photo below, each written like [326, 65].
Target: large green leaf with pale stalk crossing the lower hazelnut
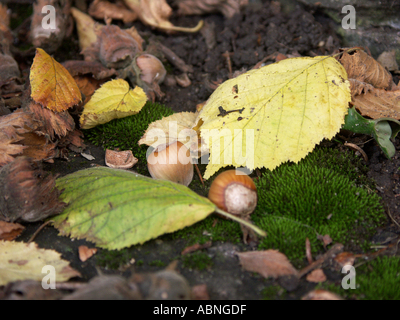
[118, 208]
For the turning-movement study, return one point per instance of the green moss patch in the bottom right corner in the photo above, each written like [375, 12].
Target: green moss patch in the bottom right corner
[375, 280]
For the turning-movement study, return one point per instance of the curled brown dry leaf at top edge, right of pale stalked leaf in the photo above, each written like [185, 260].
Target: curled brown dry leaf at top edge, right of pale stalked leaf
[227, 7]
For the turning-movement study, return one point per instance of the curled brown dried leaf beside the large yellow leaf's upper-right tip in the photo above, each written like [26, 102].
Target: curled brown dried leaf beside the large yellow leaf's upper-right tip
[362, 67]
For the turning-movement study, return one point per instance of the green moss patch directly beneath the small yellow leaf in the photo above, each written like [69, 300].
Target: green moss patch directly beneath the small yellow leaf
[125, 133]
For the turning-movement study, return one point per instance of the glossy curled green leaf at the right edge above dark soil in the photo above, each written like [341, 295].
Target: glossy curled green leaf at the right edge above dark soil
[382, 129]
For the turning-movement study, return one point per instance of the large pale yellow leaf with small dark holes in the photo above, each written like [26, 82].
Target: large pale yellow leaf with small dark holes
[274, 114]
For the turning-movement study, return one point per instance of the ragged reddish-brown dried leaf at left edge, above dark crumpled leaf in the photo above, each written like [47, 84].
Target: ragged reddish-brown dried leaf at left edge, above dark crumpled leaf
[12, 128]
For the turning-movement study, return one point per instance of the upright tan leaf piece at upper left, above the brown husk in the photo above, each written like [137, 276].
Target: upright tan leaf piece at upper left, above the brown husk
[86, 27]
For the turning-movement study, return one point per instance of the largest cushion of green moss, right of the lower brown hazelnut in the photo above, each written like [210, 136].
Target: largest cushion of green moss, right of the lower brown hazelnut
[325, 193]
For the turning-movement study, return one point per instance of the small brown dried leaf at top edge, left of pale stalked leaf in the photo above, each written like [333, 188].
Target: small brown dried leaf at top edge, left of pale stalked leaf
[104, 9]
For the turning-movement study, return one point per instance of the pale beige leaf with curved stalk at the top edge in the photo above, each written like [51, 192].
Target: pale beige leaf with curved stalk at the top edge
[156, 13]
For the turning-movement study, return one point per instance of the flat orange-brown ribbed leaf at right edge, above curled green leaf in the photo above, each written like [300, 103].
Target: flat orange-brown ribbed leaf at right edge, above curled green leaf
[379, 103]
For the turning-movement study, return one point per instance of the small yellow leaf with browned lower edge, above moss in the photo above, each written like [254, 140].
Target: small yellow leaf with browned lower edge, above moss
[112, 100]
